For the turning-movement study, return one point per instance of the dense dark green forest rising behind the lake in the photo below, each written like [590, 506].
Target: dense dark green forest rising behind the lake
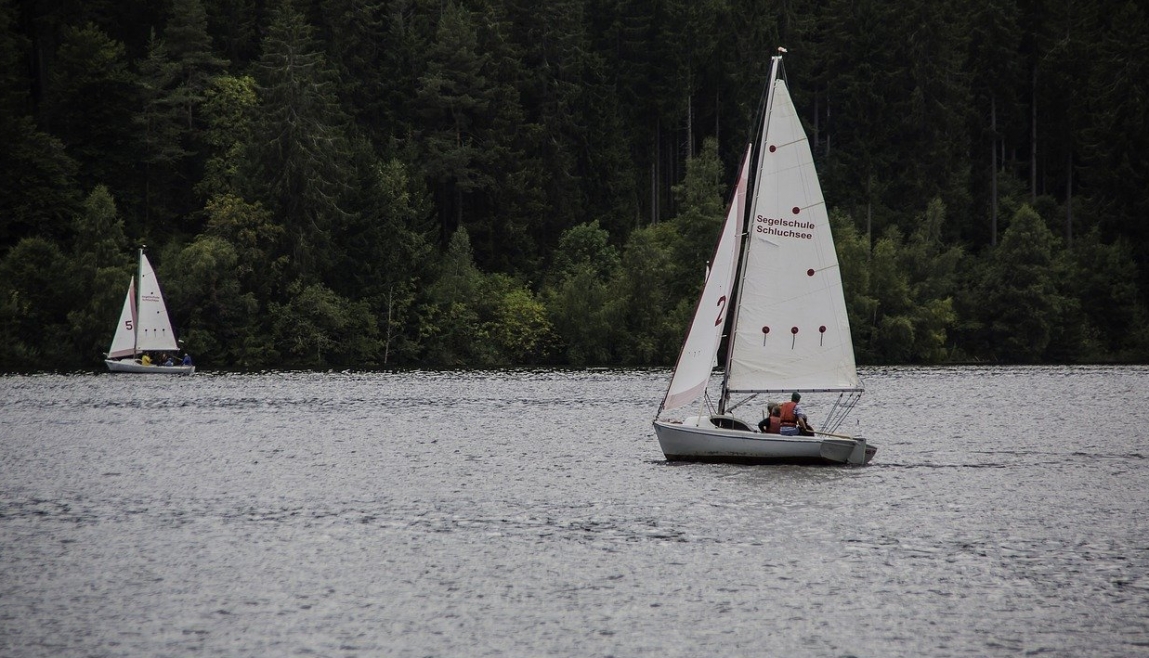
[484, 183]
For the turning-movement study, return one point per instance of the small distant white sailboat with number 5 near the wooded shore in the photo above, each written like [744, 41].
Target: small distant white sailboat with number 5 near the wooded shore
[144, 327]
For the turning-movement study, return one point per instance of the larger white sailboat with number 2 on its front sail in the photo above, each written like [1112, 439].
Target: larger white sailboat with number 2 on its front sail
[774, 300]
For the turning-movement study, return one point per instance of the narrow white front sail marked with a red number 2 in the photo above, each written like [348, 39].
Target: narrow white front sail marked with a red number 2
[698, 357]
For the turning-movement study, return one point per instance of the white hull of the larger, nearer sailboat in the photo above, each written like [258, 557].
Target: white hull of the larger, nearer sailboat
[703, 442]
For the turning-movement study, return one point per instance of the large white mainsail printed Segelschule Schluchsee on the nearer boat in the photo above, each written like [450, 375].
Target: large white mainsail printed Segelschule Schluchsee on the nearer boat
[791, 330]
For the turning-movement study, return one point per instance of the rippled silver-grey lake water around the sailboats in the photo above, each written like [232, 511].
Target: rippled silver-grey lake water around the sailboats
[531, 514]
